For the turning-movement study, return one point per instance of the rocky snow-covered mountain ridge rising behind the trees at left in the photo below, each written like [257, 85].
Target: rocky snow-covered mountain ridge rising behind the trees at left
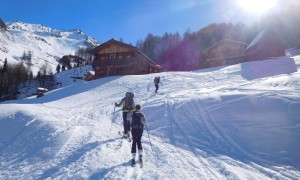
[46, 45]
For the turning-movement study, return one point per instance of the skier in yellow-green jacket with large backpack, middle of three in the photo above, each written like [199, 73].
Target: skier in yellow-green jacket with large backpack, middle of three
[128, 106]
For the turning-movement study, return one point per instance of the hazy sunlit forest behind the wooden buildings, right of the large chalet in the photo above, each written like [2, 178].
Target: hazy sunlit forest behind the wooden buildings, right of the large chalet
[185, 52]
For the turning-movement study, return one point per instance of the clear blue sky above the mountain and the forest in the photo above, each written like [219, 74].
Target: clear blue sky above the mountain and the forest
[130, 20]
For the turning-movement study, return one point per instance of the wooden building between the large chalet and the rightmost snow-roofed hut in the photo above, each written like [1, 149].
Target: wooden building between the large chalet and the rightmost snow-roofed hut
[225, 52]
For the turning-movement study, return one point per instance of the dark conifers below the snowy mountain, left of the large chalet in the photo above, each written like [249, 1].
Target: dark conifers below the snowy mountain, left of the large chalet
[14, 77]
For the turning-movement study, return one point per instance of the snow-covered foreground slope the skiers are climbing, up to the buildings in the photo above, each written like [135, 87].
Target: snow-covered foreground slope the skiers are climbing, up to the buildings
[208, 124]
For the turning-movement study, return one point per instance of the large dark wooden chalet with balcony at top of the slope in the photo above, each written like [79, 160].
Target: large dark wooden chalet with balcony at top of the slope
[117, 58]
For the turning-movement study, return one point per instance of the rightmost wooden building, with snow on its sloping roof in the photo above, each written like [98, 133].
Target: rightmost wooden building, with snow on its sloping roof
[266, 44]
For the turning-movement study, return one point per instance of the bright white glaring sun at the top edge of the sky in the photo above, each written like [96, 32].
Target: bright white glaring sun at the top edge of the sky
[257, 6]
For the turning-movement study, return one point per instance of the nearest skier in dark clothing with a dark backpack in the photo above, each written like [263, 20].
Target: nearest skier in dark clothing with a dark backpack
[137, 124]
